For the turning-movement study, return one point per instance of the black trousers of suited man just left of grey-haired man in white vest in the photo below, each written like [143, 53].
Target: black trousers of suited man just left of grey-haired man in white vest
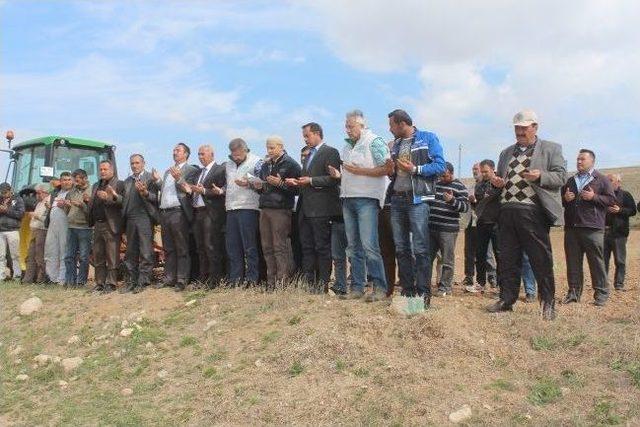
[315, 239]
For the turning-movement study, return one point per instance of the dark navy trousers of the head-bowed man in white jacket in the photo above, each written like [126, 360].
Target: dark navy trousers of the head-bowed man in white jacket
[242, 245]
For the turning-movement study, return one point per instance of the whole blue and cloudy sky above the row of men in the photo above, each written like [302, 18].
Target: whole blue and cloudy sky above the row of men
[144, 75]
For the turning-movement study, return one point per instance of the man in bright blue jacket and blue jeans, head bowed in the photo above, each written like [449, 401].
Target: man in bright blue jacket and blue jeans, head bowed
[418, 162]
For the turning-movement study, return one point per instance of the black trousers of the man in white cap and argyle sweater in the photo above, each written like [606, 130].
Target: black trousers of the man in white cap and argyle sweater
[524, 229]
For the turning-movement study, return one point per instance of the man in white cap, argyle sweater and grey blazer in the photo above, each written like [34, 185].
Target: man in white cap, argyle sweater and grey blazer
[530, 173]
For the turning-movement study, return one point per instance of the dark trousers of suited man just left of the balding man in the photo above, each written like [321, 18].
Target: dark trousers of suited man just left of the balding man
[175, 242]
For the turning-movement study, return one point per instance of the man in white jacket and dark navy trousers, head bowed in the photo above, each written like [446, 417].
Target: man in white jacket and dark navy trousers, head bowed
[243, 213]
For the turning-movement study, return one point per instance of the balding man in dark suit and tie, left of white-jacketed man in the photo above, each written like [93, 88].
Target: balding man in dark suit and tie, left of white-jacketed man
[207, 197]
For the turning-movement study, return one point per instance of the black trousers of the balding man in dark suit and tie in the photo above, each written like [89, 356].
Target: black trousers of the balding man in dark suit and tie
[208, 230]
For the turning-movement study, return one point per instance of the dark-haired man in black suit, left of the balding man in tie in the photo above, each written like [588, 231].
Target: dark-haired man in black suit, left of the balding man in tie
[176, 213]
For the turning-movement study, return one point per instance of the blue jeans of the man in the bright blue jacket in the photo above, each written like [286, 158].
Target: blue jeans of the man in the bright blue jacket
[410, 225]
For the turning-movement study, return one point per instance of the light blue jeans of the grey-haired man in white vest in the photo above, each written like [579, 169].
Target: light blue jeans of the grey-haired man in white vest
[361, 225]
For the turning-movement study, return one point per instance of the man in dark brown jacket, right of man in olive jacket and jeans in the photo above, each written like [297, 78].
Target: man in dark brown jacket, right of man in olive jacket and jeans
[105, 215]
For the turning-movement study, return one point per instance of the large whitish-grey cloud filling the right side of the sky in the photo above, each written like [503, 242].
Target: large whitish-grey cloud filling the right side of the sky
[573, 62]
